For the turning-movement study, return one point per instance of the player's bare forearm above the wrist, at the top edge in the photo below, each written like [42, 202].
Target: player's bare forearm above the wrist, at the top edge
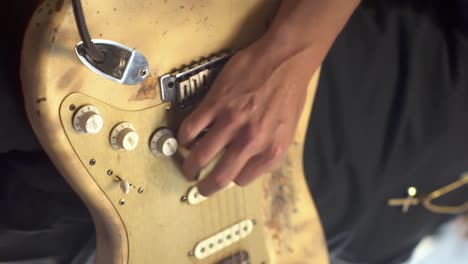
[307, 26]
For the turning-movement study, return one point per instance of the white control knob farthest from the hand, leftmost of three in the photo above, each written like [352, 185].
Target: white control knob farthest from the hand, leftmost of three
[87, 120]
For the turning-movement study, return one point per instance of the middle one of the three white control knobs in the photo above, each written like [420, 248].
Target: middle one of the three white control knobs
[124, 137]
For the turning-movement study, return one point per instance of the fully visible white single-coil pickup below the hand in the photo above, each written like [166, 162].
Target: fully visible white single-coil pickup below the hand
[223, 239]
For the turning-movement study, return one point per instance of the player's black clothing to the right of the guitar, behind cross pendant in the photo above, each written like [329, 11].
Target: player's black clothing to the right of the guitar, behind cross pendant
[391, 111]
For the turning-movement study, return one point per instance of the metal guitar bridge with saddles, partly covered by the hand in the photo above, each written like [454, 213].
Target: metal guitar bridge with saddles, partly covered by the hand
[186, 86]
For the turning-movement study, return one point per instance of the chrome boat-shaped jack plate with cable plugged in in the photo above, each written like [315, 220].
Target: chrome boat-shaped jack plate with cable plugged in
[122, 64]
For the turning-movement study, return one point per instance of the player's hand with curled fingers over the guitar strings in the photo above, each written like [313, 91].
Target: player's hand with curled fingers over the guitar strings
[252, 110]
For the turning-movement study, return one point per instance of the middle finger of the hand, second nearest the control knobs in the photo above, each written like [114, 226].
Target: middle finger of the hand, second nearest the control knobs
[210, 145]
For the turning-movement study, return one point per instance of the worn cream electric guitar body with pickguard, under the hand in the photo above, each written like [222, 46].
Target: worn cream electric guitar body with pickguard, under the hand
[138, 200]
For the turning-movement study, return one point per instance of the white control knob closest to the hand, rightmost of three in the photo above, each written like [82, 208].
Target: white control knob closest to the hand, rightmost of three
[163, 142]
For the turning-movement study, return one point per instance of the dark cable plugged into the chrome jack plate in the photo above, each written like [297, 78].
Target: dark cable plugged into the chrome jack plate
[90, 48]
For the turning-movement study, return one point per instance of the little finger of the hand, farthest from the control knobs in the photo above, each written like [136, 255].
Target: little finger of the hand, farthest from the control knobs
[259, 164]
